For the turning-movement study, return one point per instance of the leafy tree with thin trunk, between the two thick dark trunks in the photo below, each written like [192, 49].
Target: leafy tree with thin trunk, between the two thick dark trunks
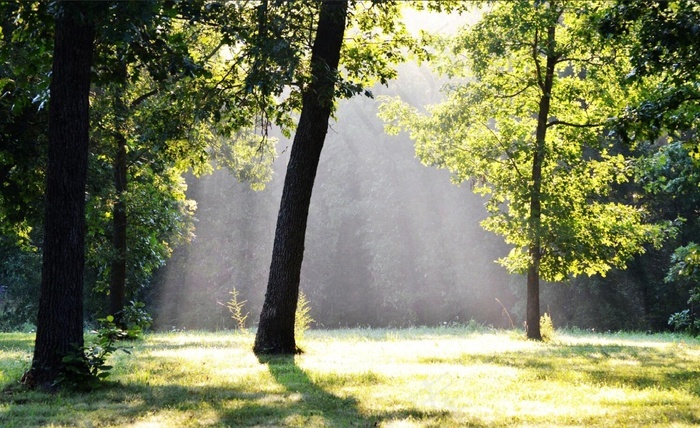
[160, 113]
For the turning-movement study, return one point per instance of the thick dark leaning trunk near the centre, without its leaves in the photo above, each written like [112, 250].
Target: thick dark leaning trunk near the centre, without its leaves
[276, 328]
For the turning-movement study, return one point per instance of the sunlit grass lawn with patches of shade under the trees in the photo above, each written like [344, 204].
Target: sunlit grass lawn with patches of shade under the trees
[433, 377]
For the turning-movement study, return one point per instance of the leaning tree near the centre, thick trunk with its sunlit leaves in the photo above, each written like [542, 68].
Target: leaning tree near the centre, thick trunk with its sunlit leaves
[374, 47]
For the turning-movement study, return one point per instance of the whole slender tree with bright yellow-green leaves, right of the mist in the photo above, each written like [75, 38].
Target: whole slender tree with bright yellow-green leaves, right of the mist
[526, 125]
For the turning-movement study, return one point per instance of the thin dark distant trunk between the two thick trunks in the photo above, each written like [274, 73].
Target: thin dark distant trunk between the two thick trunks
[117, 283]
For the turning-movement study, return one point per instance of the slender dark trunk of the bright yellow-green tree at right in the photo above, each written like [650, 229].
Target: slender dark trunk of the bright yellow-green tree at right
[535, 248]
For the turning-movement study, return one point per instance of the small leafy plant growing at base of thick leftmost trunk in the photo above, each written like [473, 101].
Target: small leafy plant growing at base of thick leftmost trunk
[84, 367]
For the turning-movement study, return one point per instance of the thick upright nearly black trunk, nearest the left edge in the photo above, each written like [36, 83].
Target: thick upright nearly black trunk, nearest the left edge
[60, 318]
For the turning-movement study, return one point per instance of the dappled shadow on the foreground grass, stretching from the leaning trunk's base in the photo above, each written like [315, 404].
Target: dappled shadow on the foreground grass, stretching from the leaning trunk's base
[299, 402]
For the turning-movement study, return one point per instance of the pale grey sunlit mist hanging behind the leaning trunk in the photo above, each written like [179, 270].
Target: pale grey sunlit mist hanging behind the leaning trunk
[390, 242]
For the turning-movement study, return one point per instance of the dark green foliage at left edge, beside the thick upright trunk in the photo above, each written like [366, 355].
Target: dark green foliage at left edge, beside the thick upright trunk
[24, 63]
